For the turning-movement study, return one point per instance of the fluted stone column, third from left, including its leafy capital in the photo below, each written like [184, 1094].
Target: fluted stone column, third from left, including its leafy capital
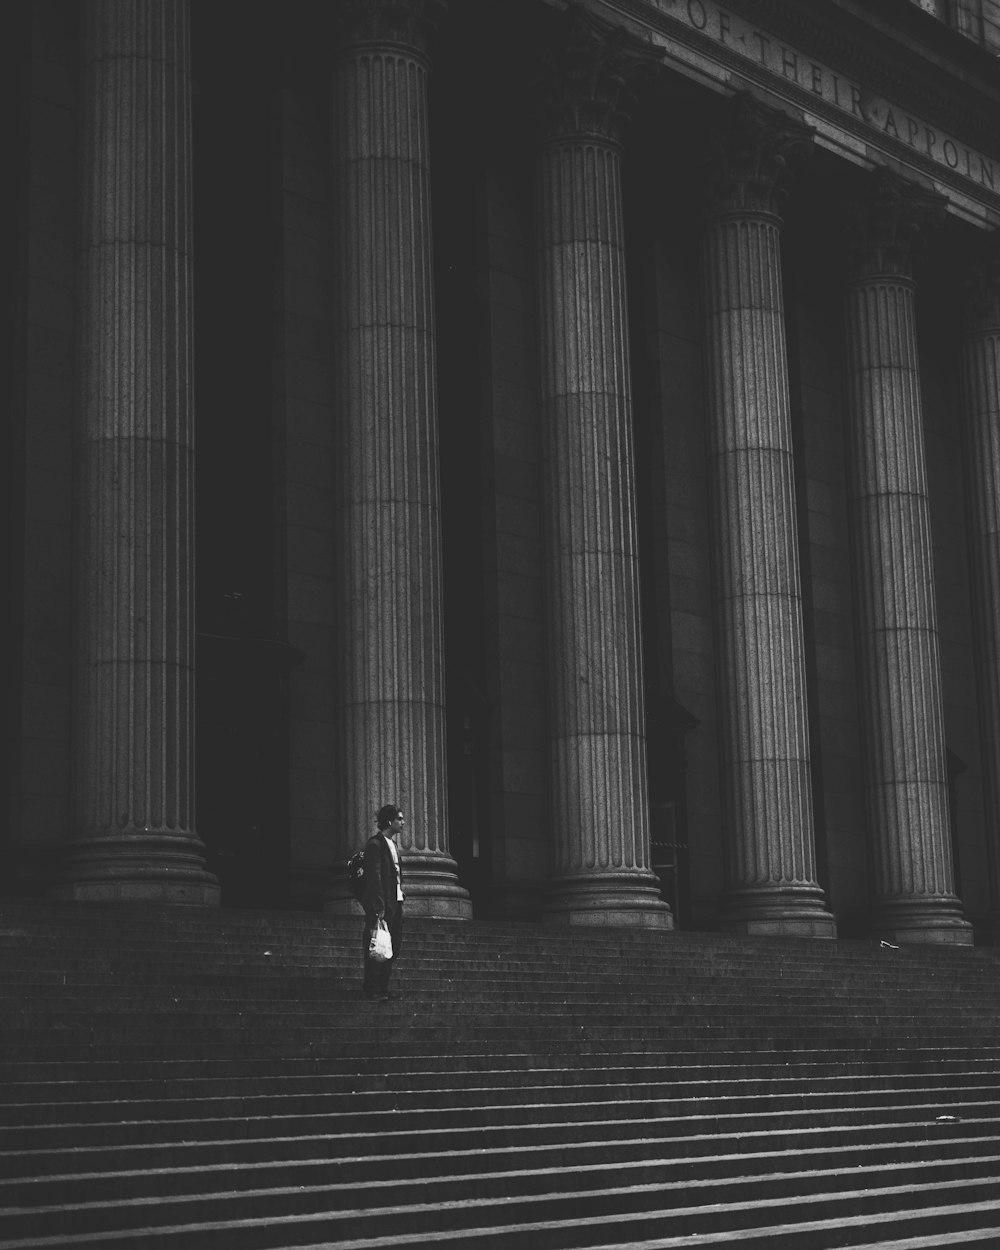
[599, 801]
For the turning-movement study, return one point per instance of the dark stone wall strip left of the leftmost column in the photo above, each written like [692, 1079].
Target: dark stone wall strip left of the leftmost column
[43, 423]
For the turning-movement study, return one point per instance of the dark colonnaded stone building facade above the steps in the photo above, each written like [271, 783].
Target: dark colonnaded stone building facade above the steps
[578, 423]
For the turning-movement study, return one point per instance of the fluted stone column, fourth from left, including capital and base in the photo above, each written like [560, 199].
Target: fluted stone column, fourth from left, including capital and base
[768, 799]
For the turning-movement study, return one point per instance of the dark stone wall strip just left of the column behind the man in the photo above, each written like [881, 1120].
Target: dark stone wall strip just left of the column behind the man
[303, 446]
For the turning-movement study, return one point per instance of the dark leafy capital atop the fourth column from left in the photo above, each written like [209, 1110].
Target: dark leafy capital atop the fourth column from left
[752, 154]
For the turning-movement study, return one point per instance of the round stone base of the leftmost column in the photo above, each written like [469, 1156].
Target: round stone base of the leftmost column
[141, 868]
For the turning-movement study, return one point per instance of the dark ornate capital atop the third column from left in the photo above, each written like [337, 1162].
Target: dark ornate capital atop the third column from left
[587, 76]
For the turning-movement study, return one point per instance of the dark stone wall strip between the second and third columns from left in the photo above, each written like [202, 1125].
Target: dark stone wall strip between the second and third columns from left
[513, 593]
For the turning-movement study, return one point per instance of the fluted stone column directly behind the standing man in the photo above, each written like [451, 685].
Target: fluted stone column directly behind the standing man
[392, 744]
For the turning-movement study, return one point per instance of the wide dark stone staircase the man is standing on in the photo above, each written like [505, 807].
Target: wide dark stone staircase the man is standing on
[187, 1079]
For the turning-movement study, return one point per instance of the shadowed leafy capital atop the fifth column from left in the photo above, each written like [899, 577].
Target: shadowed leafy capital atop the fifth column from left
[887, 223]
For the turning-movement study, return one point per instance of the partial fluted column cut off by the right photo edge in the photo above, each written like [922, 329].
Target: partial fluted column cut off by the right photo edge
[981, 396]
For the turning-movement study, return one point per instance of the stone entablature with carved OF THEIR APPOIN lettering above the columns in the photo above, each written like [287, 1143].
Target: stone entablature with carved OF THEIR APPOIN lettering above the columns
[903, 107]
